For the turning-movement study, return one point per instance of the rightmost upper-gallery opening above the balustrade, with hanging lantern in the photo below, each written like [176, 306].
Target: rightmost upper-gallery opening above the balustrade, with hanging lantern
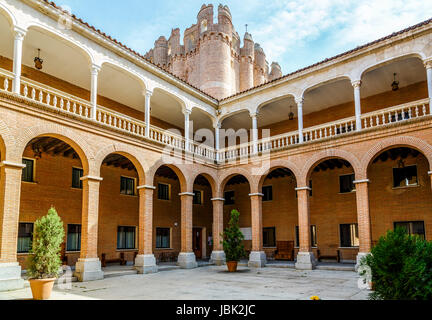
[376, 89]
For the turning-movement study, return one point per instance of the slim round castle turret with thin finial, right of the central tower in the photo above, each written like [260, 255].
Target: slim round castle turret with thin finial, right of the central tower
[247, 56]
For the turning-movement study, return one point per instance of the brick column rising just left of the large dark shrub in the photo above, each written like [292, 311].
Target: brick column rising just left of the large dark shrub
[363, 219]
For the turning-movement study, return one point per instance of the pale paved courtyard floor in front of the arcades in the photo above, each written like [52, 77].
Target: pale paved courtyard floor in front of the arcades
[214, 283]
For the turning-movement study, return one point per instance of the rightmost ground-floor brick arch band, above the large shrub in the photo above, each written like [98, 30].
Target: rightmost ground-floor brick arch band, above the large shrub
[407, 141]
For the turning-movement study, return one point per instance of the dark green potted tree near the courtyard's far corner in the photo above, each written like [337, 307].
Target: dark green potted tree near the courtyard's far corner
[232, 240]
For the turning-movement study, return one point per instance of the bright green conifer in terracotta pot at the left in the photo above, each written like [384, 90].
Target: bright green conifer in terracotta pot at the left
[44, 263]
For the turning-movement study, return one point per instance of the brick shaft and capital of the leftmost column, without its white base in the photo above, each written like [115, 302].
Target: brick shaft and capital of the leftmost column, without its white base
[10, 193]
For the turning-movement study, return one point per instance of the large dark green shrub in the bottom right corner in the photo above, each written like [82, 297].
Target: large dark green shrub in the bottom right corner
[401, 267]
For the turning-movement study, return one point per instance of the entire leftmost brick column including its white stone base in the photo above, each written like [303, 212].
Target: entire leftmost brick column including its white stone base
[10, 195]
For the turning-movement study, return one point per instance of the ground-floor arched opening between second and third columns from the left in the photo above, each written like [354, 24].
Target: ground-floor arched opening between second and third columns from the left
[118, 236]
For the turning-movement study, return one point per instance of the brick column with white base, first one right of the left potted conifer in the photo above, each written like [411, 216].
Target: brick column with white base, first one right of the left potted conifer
[88, 267]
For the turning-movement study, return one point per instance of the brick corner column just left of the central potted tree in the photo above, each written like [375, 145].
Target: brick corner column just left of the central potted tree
[218, 255]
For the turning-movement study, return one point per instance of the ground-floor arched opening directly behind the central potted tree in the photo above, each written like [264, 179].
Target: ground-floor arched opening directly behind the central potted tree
[236, 189]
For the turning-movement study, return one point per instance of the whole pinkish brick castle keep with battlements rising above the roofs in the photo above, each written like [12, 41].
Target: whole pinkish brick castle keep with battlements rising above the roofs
[212, 57]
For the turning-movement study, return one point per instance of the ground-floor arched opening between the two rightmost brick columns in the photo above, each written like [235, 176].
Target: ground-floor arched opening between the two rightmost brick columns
[333, 211]
